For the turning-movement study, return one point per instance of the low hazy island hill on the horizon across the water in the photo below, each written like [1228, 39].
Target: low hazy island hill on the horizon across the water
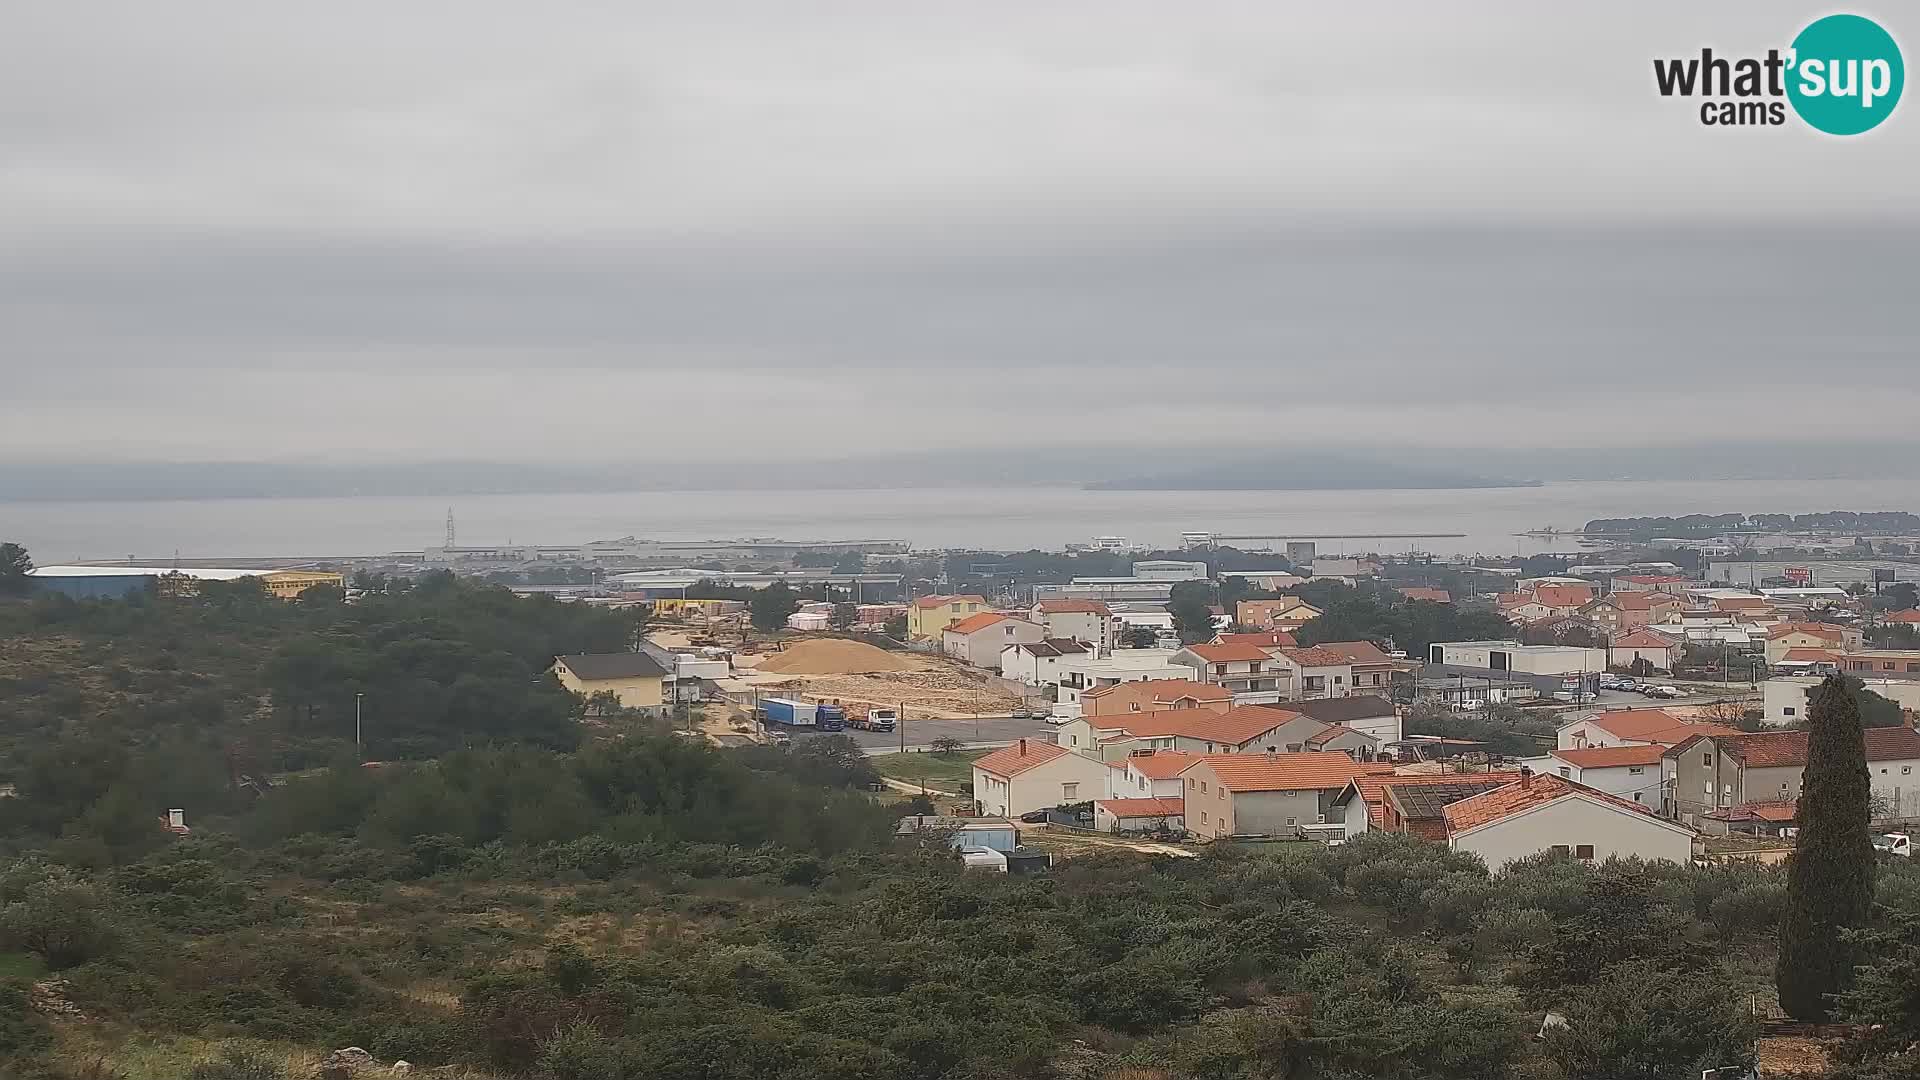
[1305, 474]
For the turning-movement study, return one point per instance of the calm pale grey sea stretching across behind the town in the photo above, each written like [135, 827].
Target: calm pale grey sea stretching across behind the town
[934, 518]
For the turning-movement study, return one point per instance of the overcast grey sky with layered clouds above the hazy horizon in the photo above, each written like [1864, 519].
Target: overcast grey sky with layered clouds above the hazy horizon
[629, 232]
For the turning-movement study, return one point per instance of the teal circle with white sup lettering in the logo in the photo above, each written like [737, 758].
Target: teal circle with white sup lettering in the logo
[1848, 74]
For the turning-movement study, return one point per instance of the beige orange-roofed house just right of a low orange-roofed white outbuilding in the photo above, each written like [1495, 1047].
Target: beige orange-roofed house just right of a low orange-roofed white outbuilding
[1266, 795]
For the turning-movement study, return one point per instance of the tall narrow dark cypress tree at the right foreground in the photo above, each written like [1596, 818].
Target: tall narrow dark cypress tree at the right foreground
[1831, 881]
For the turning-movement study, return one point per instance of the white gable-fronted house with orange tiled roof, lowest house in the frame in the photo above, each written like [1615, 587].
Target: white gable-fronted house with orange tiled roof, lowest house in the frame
[1552, 814]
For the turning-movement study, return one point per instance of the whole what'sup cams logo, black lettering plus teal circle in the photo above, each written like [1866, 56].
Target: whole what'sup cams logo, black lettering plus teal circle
[1840, 76]
